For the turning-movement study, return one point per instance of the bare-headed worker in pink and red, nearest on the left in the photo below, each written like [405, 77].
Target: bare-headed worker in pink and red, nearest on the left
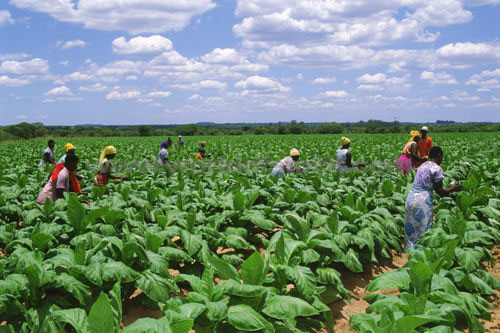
[62, 179]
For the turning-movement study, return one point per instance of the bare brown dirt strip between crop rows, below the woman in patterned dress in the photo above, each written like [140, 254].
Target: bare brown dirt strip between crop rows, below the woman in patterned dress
[356, 283]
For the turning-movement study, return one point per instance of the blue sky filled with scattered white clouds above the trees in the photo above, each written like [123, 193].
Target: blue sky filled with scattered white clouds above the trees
[66, 62]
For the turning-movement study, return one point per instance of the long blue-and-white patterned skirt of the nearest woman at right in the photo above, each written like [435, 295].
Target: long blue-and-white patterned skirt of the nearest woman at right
[418, 215]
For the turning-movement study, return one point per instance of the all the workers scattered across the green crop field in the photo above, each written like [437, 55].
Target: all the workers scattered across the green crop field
[418, 152]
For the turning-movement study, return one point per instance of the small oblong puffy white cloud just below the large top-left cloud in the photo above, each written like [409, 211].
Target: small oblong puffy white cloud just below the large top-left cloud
[142, 45]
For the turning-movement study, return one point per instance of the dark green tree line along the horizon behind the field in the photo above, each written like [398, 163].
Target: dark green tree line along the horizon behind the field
[38, 130]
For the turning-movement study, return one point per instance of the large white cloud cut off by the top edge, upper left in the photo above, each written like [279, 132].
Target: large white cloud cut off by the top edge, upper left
[134, 16]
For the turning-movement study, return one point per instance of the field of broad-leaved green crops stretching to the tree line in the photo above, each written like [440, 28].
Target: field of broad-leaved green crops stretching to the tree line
[220, 246]
